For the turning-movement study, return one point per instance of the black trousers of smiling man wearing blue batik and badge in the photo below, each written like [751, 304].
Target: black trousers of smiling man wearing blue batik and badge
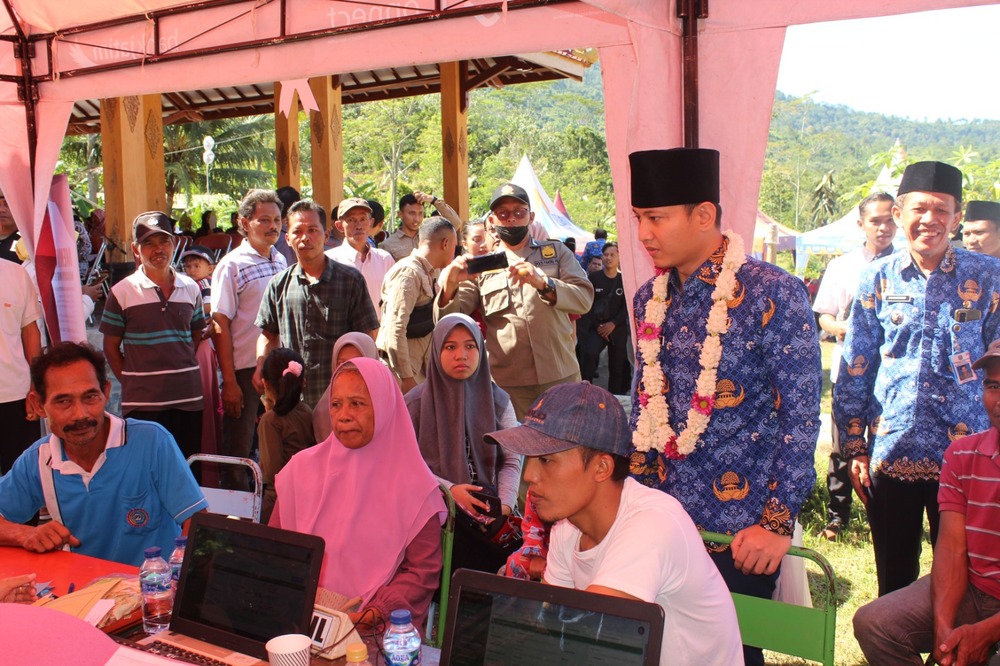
[896, 516]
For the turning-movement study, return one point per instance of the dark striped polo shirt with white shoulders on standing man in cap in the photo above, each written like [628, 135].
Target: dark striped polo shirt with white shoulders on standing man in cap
[160, 370]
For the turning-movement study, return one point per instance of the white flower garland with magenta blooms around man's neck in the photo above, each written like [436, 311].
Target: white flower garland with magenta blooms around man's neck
[653, 429]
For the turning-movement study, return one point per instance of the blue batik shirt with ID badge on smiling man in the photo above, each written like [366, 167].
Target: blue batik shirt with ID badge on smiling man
[896, 374]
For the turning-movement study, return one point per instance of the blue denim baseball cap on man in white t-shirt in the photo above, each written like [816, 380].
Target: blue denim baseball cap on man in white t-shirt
[567, 416]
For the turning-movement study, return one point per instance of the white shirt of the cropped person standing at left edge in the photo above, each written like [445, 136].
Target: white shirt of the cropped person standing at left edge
[18, 308]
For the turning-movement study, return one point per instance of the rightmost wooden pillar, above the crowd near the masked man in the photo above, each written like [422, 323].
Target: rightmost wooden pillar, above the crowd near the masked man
[455, 136]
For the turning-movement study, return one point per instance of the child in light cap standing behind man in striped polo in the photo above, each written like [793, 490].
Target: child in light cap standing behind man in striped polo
[199, 263]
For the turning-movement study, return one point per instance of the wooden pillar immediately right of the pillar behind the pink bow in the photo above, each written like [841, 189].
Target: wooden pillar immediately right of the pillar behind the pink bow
[325, 135]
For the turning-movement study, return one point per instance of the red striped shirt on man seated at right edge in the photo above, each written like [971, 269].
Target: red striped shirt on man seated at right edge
[970, 485]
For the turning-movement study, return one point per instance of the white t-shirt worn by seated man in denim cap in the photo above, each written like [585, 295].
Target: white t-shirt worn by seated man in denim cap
[654, 552]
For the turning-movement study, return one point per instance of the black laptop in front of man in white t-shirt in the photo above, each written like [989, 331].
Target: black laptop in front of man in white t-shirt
[497, 621]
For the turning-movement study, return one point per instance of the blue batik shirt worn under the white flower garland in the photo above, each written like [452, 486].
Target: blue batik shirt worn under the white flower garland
[754, 464]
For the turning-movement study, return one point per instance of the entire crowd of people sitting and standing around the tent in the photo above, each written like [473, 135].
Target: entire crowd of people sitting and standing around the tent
[371, 377]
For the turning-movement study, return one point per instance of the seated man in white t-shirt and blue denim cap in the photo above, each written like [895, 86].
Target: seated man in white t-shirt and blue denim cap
[612, 535]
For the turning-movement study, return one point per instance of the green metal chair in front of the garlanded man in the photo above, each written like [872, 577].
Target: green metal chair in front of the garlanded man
[777, 626]
